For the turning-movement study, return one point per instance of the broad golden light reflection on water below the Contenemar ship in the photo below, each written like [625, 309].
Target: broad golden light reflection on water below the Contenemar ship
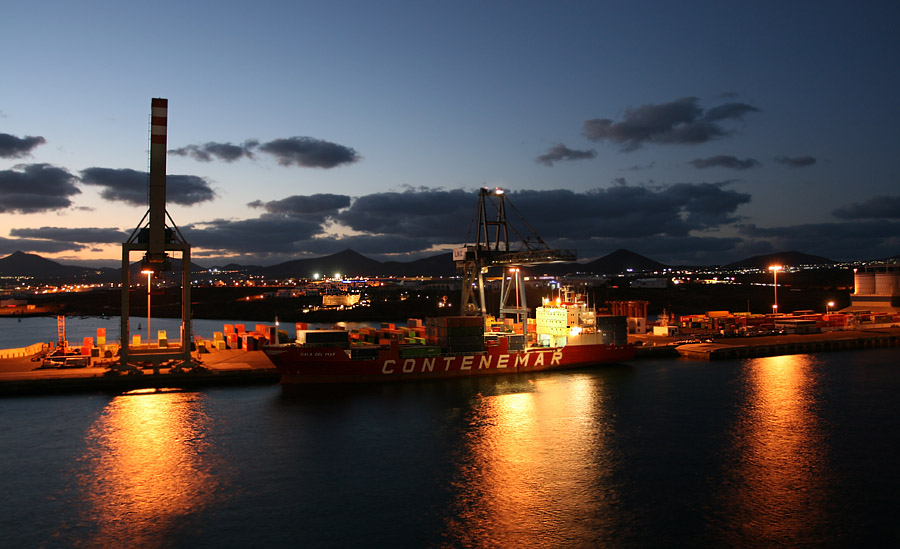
[534, 466]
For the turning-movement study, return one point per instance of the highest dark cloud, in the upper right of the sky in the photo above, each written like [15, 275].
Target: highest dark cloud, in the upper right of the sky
[677, 122]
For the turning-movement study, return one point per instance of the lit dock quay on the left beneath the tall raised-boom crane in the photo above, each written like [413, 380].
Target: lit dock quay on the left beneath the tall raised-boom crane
[21, 376]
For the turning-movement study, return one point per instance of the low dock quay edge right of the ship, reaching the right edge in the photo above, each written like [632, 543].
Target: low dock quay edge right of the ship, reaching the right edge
[751, 347]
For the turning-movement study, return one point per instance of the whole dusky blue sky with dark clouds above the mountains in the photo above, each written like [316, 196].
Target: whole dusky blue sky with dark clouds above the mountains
[689, 132]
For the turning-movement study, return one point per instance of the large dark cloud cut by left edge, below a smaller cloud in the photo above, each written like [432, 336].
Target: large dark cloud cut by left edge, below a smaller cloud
[36, 188]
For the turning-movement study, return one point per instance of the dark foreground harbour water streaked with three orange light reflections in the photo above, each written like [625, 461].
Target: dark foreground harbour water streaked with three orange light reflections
[789, 450]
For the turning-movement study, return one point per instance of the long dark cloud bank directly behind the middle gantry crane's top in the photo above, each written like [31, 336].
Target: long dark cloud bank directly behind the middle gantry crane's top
[619, 211]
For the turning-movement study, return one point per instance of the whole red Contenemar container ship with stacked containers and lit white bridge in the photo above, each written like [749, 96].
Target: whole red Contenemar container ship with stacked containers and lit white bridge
[563, 335]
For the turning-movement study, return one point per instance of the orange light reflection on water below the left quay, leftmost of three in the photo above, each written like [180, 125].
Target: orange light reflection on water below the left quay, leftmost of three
[148, 467]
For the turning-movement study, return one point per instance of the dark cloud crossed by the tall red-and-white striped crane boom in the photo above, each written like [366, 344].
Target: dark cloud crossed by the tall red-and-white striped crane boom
[131, 186]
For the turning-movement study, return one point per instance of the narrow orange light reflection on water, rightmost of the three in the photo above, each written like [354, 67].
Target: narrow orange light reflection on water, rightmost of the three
[776, 489]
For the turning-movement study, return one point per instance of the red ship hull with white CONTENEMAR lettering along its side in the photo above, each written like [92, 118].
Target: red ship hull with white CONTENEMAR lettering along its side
[299, 364]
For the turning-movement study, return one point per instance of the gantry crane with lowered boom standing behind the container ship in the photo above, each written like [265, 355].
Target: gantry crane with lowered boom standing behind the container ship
[492, 249]
